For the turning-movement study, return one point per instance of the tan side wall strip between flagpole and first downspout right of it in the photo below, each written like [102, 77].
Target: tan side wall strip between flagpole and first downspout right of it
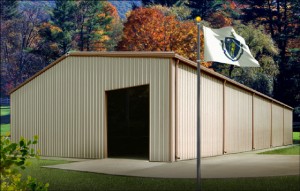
[211, 116]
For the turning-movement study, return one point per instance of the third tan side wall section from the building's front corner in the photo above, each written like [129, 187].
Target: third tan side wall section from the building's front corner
[262, 123]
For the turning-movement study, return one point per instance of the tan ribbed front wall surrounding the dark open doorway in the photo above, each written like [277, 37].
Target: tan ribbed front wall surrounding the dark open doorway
[65, 106]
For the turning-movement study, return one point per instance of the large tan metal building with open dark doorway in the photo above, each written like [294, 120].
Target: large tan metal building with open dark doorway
[142, 104]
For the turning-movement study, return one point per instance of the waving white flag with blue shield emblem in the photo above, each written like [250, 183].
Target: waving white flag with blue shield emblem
[225, 46]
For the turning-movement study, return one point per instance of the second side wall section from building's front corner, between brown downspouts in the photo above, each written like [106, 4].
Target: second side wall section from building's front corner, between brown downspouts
[238, 120]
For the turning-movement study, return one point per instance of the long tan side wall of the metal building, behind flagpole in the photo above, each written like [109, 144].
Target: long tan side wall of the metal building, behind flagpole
[233, 119]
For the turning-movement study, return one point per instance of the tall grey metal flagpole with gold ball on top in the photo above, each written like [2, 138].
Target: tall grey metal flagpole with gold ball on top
[198, 20]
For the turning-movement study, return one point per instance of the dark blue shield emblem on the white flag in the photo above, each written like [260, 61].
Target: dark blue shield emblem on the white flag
[233, 49]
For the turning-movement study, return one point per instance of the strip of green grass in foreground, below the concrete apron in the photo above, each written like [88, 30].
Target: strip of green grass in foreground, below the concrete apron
[73, 180]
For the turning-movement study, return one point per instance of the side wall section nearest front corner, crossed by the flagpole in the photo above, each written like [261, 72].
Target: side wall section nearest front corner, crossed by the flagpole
[211, 114]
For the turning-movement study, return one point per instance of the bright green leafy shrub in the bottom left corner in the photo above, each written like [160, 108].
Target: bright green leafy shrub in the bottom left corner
[14, 156]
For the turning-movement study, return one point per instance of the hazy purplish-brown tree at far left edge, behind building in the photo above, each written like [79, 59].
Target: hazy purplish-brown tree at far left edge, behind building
[18, 38]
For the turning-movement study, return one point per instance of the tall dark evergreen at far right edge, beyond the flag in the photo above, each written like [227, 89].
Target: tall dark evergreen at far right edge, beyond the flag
[280, 18]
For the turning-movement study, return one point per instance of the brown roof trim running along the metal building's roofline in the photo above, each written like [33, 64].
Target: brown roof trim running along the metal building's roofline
[147, 54]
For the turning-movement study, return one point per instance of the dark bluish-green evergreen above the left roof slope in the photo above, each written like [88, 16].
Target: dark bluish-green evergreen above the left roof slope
[57, 34]
